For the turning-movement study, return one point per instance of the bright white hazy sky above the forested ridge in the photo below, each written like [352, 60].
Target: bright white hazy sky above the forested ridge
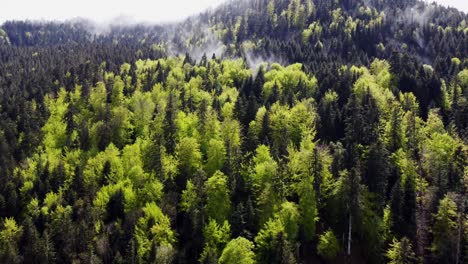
[107, 10]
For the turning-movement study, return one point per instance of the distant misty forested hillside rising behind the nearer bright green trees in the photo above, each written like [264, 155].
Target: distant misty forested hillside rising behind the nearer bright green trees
[321, 34]
